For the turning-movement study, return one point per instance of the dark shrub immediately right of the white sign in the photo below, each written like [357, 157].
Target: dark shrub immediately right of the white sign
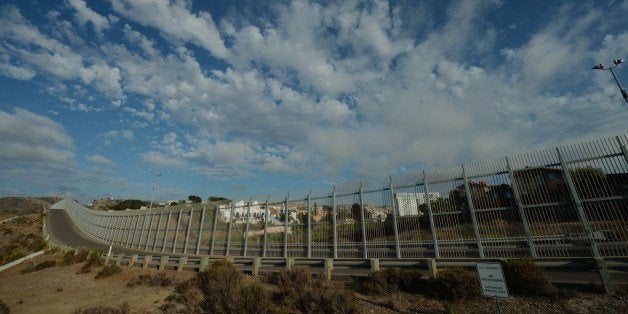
[526, 278]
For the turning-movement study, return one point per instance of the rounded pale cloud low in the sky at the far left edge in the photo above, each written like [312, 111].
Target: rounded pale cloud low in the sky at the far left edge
[29, 137]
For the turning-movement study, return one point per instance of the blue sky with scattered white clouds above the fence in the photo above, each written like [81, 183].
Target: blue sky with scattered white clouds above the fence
[248, 98]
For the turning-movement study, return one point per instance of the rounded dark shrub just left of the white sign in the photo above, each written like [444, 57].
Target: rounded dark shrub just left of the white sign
[453, 284]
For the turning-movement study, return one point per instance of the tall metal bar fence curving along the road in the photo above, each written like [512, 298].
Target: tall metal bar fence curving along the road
[570, 201]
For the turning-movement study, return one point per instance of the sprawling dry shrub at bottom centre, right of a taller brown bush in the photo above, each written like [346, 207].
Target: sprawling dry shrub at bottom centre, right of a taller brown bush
[299, 290]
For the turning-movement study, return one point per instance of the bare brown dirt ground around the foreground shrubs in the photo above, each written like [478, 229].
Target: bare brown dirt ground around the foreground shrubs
[61, 289]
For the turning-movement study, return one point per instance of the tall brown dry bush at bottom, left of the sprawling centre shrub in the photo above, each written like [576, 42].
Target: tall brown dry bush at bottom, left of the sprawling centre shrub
[224, 292]
